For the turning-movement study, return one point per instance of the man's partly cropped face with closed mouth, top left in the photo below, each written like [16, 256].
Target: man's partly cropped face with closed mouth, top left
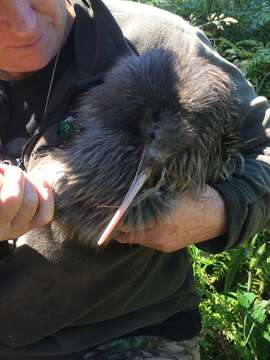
[31, 32]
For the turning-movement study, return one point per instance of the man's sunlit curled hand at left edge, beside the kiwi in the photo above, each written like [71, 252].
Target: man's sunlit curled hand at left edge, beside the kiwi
[26, 202]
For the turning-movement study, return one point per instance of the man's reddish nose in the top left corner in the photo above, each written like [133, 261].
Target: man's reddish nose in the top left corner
[17, 15]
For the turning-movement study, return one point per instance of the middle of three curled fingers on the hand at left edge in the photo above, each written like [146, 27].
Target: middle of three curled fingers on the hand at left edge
[21, 221]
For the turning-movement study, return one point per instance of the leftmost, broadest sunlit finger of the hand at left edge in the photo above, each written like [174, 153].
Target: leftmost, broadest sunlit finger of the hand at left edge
[11, 195]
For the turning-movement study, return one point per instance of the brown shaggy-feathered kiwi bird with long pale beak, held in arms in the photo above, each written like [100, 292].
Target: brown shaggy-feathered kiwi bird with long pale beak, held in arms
[158, 126]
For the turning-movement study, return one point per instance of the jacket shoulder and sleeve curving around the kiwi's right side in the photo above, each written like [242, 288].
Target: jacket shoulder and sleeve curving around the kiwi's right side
[245, 195]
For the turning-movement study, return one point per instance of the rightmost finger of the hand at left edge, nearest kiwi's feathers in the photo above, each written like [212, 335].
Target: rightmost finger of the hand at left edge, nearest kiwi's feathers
[44, 214]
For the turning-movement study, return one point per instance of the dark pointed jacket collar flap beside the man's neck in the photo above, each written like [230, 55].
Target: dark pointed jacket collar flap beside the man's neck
[99, 42]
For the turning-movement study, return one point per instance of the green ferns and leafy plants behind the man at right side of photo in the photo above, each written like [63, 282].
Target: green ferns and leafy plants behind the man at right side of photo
[235, 285]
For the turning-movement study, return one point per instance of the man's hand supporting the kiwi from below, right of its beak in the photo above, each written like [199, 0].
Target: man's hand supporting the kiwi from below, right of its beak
[191, 221]
